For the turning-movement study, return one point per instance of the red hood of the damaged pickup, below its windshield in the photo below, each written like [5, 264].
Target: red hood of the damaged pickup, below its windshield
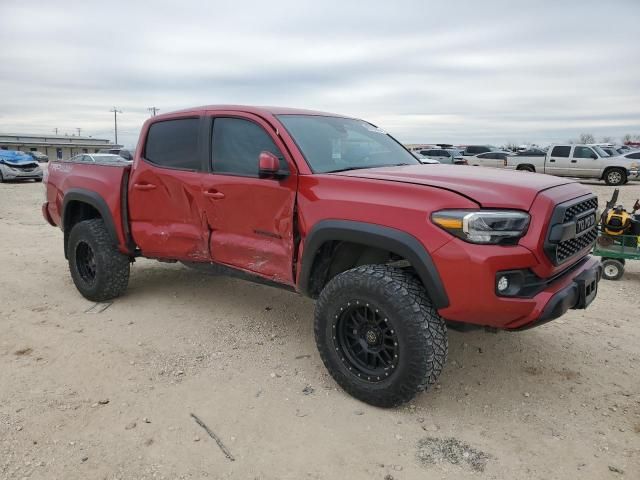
[490, 187]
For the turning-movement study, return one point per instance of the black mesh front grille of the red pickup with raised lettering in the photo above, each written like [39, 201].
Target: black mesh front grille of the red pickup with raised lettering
[565, 244]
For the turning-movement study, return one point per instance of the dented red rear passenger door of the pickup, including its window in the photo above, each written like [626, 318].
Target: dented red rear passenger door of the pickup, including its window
[165, 193]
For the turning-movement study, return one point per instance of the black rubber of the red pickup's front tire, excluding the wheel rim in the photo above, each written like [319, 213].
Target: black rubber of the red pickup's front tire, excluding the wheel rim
[421, 332]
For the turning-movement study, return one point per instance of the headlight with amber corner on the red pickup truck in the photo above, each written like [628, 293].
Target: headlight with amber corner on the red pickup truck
[503, 227]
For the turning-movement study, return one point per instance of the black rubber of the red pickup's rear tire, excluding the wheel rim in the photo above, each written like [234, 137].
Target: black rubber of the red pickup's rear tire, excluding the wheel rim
[111, 275]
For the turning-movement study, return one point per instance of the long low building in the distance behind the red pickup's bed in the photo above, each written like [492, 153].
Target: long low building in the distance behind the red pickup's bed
[61, 147]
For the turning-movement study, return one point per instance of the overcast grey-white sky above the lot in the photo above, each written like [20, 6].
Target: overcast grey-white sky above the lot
[449, 71]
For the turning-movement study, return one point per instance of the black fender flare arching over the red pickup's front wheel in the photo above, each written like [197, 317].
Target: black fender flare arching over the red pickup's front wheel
[377, 236]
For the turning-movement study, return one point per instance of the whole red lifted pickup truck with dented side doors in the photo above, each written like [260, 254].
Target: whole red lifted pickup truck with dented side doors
[336, 209]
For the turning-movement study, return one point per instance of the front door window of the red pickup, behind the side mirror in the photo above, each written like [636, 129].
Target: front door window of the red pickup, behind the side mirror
[236, 146]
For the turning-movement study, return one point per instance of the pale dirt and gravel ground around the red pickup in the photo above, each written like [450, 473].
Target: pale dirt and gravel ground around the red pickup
[87, 395]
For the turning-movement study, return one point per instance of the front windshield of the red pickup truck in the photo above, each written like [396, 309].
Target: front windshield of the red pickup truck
[333, 144]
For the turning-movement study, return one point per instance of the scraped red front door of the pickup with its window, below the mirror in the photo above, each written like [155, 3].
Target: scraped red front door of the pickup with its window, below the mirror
[250, 216]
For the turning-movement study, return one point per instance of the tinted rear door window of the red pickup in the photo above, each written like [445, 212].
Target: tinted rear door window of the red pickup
[174, 144]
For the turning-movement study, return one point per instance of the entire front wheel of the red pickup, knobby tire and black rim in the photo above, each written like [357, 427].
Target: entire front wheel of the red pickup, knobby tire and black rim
[378, 334]
